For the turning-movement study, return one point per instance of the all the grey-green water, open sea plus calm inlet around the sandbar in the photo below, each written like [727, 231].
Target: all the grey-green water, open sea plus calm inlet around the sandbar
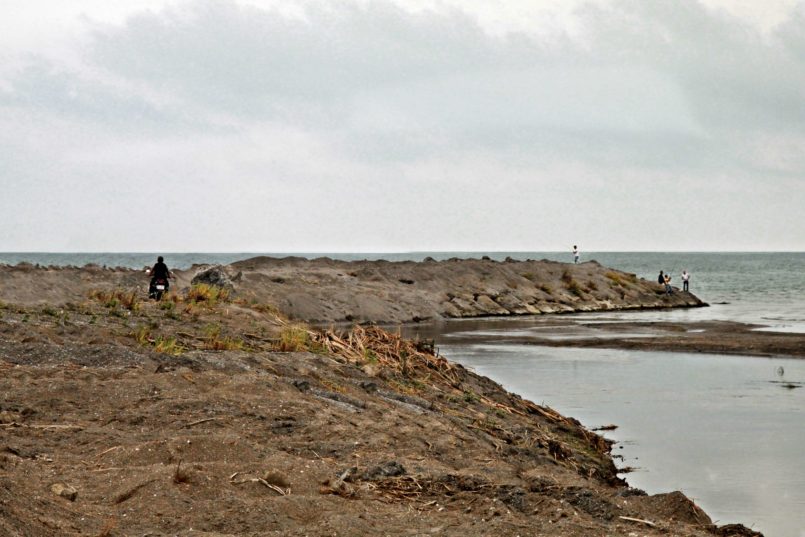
[728, 431]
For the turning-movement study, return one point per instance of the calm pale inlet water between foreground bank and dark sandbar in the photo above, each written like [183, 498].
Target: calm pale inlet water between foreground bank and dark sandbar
[722, 429]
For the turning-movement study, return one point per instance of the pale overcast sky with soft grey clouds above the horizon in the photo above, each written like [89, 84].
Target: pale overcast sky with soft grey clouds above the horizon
[402, 125]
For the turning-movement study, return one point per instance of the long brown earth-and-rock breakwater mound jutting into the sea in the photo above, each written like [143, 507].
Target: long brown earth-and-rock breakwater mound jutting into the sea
[329, 291]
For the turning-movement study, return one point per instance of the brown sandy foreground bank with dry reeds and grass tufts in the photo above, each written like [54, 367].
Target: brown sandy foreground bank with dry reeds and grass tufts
[216, 416]
